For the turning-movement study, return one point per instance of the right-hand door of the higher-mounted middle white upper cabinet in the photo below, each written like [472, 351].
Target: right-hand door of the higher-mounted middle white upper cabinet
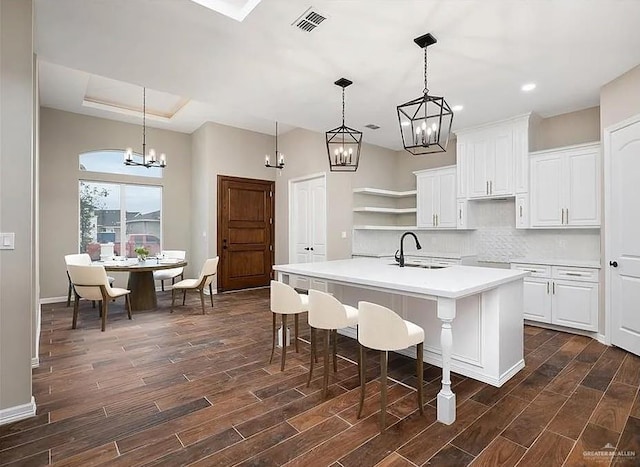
[500, 163]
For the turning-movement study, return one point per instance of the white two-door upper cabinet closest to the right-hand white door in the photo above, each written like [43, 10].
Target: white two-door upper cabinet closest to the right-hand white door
[565, 187]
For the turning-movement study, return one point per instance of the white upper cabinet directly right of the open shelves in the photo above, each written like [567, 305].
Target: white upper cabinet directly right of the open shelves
[436, 198]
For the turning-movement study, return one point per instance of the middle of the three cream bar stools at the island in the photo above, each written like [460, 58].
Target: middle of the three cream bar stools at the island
[326, 312]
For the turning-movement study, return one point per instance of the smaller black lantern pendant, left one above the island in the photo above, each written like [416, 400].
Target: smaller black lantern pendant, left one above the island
[343, 143]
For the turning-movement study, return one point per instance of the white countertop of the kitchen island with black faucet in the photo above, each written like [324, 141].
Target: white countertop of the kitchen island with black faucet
[448, 282]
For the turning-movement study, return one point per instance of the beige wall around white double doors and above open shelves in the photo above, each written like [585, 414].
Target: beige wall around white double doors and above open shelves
[306, 154]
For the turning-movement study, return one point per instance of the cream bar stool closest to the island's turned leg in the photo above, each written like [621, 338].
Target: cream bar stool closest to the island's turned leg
[380, 328]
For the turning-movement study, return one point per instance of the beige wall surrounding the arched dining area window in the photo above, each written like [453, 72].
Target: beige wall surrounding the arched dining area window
[63, 136]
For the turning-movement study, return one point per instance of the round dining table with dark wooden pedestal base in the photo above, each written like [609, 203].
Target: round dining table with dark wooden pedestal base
[141, 282]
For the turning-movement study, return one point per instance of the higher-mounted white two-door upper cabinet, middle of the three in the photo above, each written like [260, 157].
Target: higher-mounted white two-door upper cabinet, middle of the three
[493, 159]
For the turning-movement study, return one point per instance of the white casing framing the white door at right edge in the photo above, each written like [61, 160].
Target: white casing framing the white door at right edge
[606, 193]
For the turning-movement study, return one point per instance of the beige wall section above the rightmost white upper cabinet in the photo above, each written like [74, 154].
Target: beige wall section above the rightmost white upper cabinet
[582, 126]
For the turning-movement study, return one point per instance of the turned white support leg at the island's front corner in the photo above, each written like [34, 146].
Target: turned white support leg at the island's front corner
[446, 397]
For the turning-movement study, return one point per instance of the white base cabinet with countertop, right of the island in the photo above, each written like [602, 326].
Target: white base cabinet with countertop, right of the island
[561, 295]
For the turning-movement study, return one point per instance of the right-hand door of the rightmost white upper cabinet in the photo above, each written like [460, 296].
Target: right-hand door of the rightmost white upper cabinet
[582, 189]
